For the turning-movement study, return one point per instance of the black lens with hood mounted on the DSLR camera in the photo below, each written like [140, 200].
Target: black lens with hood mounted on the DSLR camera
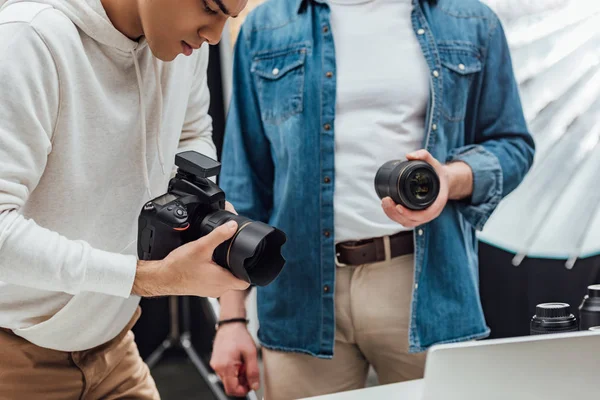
[253, 254]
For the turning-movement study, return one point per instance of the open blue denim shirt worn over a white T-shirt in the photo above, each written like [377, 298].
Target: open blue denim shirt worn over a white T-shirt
[278, 162]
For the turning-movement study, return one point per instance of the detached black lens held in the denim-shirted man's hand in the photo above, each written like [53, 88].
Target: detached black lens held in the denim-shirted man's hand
[413, 184]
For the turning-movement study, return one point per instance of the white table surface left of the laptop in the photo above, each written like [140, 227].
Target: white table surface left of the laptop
[411, 390]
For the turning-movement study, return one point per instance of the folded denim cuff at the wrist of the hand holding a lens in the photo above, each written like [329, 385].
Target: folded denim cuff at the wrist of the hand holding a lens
[487, 183]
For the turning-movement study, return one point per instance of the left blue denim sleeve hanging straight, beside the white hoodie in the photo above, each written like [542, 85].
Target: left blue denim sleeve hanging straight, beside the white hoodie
[247, 172]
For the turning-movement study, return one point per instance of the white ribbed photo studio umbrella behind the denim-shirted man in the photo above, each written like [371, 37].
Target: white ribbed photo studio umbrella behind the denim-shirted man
[554, 213]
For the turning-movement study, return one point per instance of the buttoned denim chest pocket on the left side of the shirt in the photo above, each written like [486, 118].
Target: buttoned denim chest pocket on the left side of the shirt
[279, 79]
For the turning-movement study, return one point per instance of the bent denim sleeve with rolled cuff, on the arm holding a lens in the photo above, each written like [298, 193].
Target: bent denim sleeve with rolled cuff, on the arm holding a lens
[502, 150]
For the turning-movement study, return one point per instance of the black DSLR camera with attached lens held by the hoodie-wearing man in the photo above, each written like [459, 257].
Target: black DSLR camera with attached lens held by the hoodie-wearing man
[192, 208]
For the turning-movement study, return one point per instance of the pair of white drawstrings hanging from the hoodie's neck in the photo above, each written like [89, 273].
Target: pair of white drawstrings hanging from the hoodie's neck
[143, 120]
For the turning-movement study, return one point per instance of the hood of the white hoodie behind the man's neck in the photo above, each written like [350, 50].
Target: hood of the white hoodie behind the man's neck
[90, 17]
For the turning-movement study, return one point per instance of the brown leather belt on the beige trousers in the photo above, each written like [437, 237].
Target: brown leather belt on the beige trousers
[370, 251]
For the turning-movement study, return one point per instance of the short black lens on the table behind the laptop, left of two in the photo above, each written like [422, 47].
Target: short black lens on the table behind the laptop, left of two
[553, 318]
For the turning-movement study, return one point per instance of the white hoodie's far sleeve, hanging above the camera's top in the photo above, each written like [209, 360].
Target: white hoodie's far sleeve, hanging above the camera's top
[197, 129]
